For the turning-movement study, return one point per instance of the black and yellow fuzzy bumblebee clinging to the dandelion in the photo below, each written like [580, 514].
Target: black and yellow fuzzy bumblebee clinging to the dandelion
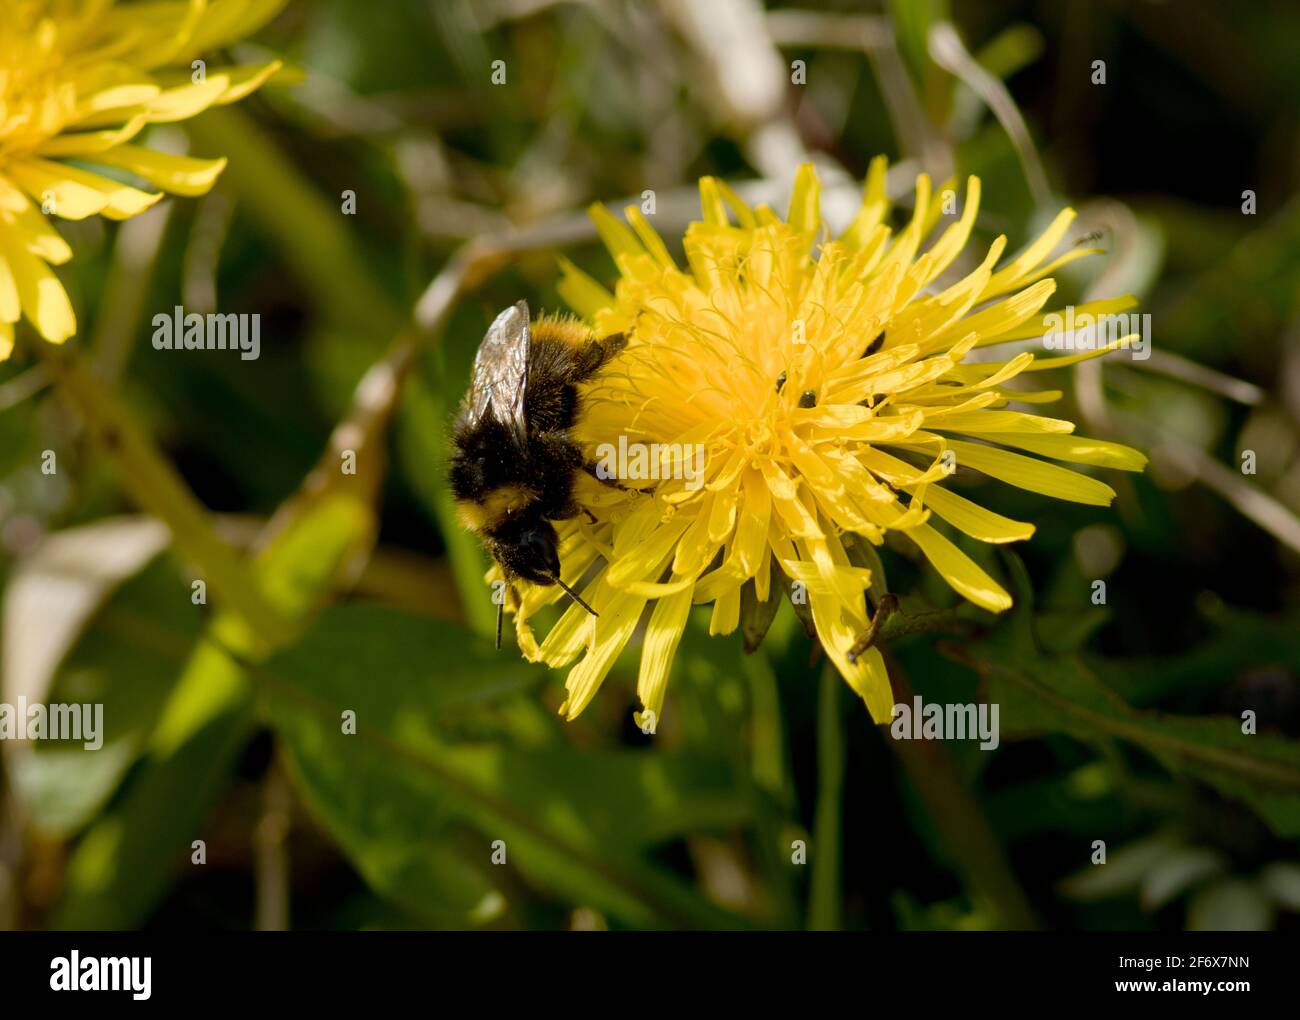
[515, 459]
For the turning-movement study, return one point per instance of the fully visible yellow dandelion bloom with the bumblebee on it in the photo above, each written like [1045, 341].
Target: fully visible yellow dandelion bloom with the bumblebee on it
[831, 390]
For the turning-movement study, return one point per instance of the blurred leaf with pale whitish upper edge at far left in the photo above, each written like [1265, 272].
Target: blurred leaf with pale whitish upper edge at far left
[71, 637]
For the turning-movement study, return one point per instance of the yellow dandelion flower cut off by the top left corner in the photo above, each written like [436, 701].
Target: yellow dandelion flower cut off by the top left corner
[80, 80]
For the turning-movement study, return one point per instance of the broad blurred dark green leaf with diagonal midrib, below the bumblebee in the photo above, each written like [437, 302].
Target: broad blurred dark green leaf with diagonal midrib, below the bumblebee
[574, 822]
